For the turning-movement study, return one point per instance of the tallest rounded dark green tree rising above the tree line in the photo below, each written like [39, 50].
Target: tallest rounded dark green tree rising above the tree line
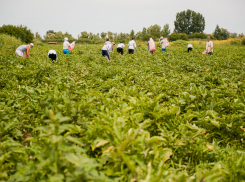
[189, 22]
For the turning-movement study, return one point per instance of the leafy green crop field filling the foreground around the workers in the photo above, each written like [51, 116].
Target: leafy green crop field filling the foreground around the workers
[167, 117]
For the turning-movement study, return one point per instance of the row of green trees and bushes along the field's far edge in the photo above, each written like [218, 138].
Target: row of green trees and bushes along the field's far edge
[188, 25]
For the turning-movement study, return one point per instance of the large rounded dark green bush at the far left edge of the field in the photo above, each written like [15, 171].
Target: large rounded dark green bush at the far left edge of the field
[21, 32]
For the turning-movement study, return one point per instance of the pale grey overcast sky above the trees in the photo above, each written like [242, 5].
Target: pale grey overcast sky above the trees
[75, 16]
